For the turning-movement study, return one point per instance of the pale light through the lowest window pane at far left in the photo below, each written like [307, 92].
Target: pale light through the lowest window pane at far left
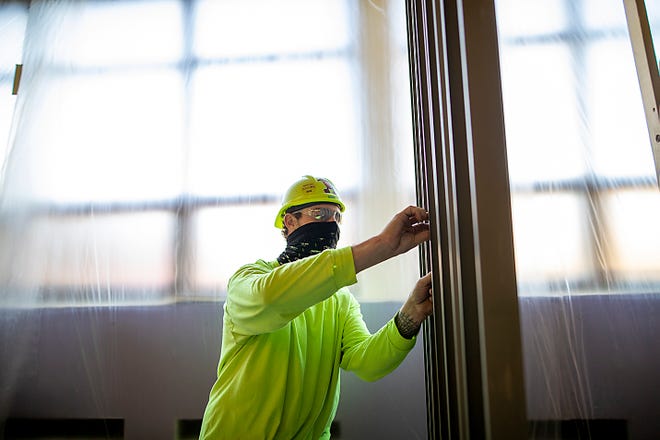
[104, 251]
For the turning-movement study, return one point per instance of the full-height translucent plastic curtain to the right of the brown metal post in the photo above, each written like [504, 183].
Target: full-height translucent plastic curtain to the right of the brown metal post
[586, 210]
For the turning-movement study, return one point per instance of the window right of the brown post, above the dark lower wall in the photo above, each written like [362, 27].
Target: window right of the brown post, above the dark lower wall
[585, 199]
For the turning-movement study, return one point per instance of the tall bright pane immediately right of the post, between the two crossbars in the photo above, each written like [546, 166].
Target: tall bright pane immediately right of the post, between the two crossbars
[543, 124]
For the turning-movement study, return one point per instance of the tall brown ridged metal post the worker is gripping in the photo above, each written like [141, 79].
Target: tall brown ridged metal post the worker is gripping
[472, 344]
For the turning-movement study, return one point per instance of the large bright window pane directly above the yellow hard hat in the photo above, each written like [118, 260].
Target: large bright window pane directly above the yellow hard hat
[276, 121]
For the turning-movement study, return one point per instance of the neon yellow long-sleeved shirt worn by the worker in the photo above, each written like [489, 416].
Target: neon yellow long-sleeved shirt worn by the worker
[287, 330]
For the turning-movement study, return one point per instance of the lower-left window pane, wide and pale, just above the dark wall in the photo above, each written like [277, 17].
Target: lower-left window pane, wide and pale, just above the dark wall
[103, 258]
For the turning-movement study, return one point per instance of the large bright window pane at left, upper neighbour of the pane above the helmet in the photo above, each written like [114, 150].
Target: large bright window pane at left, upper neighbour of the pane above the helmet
[115, 137]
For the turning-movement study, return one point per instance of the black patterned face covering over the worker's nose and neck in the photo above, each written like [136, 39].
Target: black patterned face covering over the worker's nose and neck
[310, 239]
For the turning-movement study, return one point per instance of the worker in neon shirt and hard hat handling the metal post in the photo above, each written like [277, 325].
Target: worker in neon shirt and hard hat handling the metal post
[291, 324]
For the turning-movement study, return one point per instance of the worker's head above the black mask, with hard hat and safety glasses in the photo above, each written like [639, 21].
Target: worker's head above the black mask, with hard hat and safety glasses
[309, 200]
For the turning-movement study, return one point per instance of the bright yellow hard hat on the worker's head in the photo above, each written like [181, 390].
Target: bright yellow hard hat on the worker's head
[307, 190]
